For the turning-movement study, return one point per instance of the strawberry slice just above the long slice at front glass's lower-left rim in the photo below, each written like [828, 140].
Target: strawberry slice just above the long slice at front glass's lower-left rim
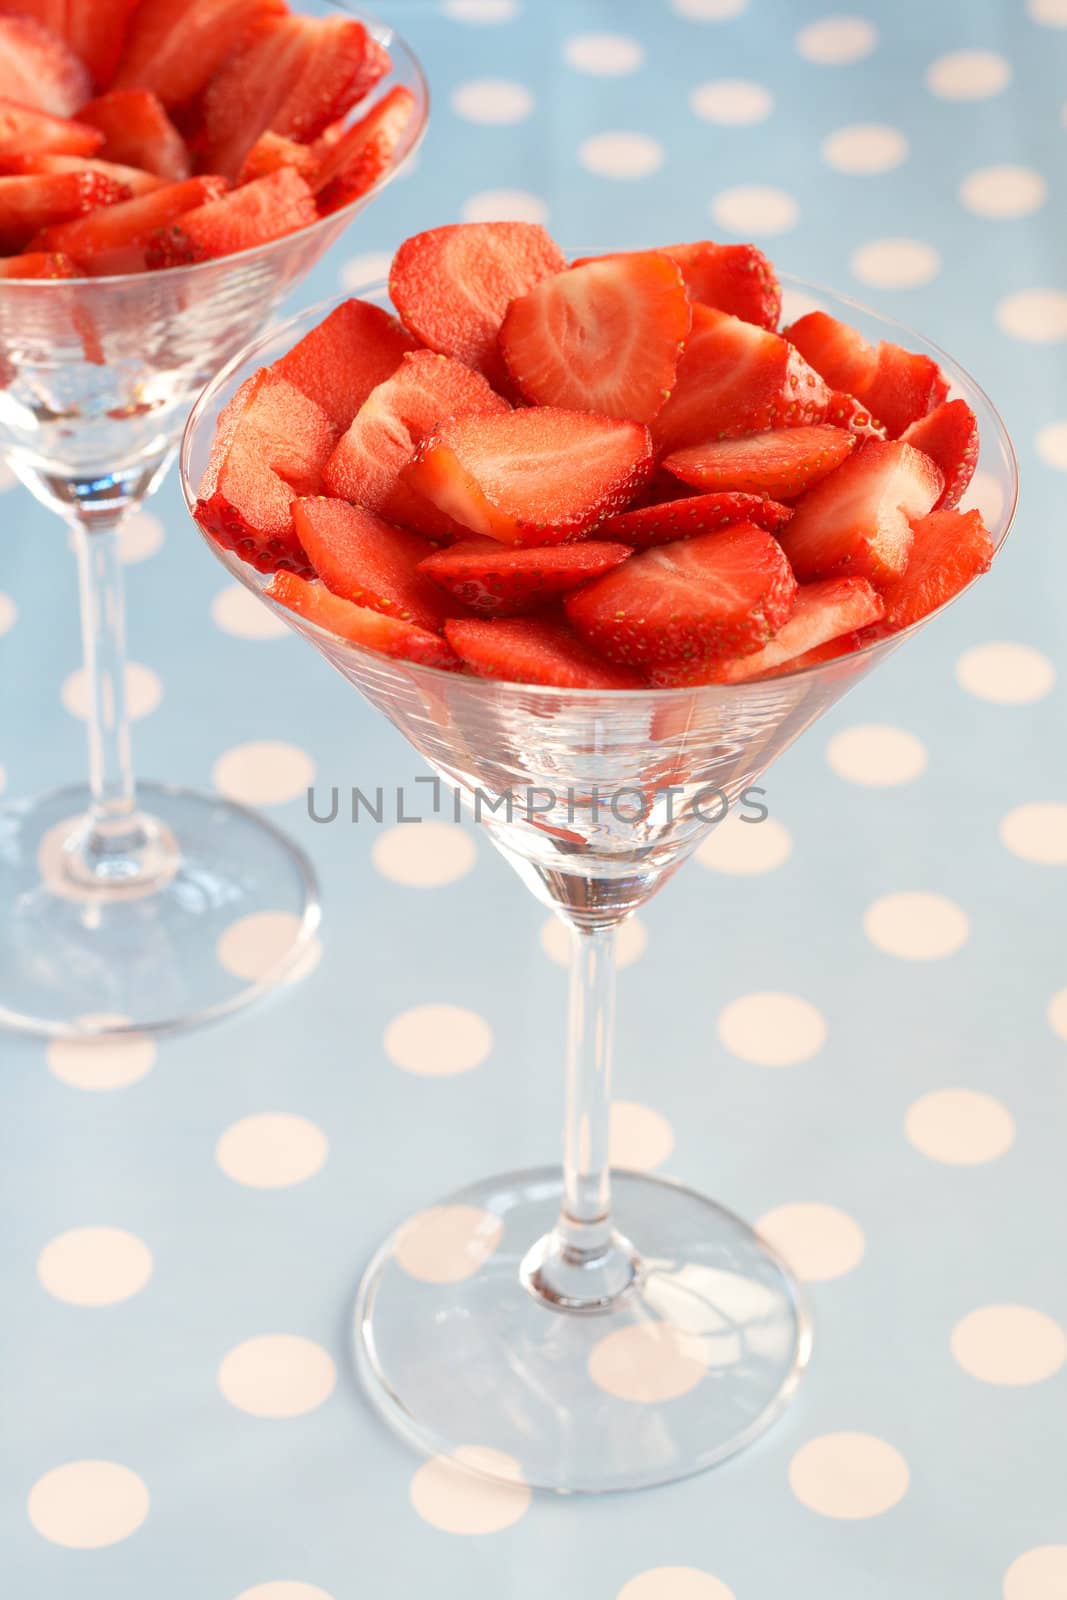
[369, 561]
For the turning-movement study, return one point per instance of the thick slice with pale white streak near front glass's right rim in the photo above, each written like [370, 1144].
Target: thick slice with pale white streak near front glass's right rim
[858, 519]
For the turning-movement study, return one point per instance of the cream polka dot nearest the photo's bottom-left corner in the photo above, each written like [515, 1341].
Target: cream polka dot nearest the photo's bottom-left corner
[89, 1505]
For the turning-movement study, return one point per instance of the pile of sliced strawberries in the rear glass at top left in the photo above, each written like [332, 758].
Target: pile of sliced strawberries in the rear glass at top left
[158, 134]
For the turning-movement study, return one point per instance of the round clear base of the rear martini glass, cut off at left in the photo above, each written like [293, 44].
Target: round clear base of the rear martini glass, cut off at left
[230, 910]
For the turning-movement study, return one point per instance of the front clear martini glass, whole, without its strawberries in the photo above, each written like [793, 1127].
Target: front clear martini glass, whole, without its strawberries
[541, 1306]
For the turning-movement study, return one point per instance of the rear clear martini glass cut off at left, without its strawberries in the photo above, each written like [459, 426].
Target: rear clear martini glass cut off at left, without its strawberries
[116, 897]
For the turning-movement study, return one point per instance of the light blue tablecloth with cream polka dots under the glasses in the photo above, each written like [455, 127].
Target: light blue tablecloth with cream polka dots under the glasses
[849, 1023]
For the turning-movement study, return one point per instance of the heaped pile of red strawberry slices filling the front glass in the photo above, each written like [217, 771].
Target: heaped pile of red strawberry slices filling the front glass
[615, 474]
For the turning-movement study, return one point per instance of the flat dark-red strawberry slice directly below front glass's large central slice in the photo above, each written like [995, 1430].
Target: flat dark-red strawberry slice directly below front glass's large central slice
[498, 582]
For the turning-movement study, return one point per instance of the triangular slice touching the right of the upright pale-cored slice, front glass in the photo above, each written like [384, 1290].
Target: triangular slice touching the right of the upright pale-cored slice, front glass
[735, 378]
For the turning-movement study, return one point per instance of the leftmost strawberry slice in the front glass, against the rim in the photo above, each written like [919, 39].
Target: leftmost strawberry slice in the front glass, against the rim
[271, 447]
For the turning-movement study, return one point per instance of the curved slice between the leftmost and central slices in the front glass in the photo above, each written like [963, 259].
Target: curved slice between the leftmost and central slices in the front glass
[393, 420]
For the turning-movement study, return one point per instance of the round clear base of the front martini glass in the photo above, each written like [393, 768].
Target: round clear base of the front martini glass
[690, 1364]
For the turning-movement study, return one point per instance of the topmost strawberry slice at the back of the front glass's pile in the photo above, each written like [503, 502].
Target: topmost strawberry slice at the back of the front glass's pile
[452, 286]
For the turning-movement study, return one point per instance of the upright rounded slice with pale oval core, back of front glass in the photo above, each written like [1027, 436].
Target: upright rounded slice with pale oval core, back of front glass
[605, 337]
